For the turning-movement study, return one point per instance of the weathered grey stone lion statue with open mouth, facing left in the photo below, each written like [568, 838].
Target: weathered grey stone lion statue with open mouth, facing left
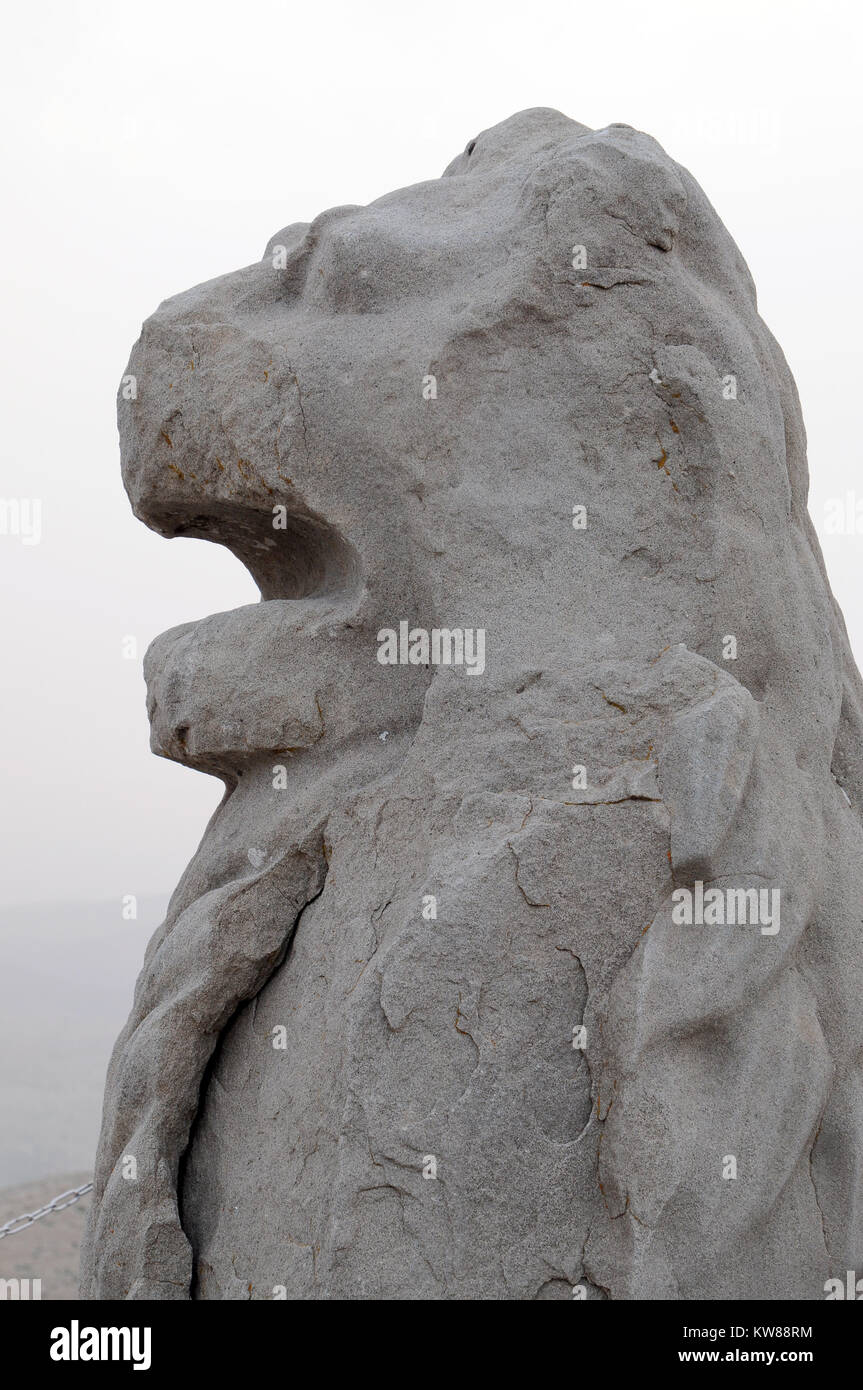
[308, 1042]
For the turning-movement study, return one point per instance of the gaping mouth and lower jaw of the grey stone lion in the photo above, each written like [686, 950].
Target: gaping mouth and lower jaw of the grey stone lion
[234, 686]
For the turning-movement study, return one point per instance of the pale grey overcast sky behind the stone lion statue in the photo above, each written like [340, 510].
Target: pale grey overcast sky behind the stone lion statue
[151, 148]
